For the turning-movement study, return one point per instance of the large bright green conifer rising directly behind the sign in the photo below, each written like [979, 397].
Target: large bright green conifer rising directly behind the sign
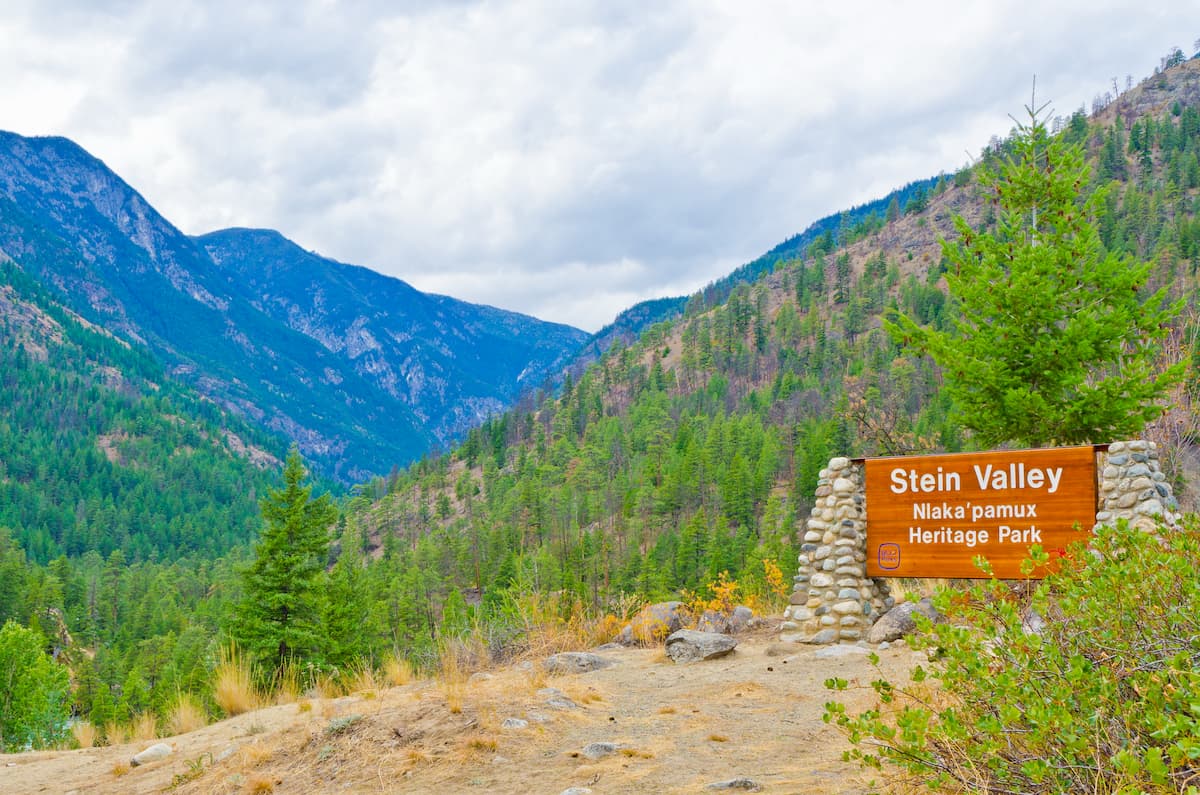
[1055, 343]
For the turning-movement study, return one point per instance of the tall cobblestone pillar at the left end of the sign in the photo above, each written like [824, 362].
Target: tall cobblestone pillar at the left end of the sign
[833, 599]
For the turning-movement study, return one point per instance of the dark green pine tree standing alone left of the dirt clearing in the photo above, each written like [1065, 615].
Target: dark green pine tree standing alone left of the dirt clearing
[280, 615]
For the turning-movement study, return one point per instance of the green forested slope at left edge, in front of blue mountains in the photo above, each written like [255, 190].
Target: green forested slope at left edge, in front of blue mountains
[101, 452]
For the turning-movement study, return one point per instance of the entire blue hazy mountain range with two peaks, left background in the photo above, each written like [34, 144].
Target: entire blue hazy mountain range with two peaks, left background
[362, 372]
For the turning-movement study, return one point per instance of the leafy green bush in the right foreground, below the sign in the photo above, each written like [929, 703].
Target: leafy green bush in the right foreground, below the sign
[1102, 696]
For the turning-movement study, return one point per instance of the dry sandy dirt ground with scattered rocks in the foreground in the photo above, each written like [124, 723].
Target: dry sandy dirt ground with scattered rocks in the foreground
[755, 714]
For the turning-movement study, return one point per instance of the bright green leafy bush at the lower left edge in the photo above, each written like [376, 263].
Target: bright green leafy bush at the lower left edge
[34, 692]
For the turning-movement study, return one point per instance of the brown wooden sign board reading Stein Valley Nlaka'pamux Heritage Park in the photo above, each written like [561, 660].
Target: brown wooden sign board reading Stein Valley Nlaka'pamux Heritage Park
[929, 517]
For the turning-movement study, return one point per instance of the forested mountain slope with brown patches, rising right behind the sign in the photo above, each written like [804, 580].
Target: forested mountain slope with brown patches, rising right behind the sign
[695, 451]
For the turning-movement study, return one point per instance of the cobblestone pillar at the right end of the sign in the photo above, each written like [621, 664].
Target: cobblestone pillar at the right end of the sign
[1133, 487]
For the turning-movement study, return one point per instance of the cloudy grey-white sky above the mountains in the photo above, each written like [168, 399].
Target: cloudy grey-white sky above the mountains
[565, 159]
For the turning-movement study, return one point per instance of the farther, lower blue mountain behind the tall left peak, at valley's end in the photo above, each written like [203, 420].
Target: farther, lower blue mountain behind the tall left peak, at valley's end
[453, 364]
